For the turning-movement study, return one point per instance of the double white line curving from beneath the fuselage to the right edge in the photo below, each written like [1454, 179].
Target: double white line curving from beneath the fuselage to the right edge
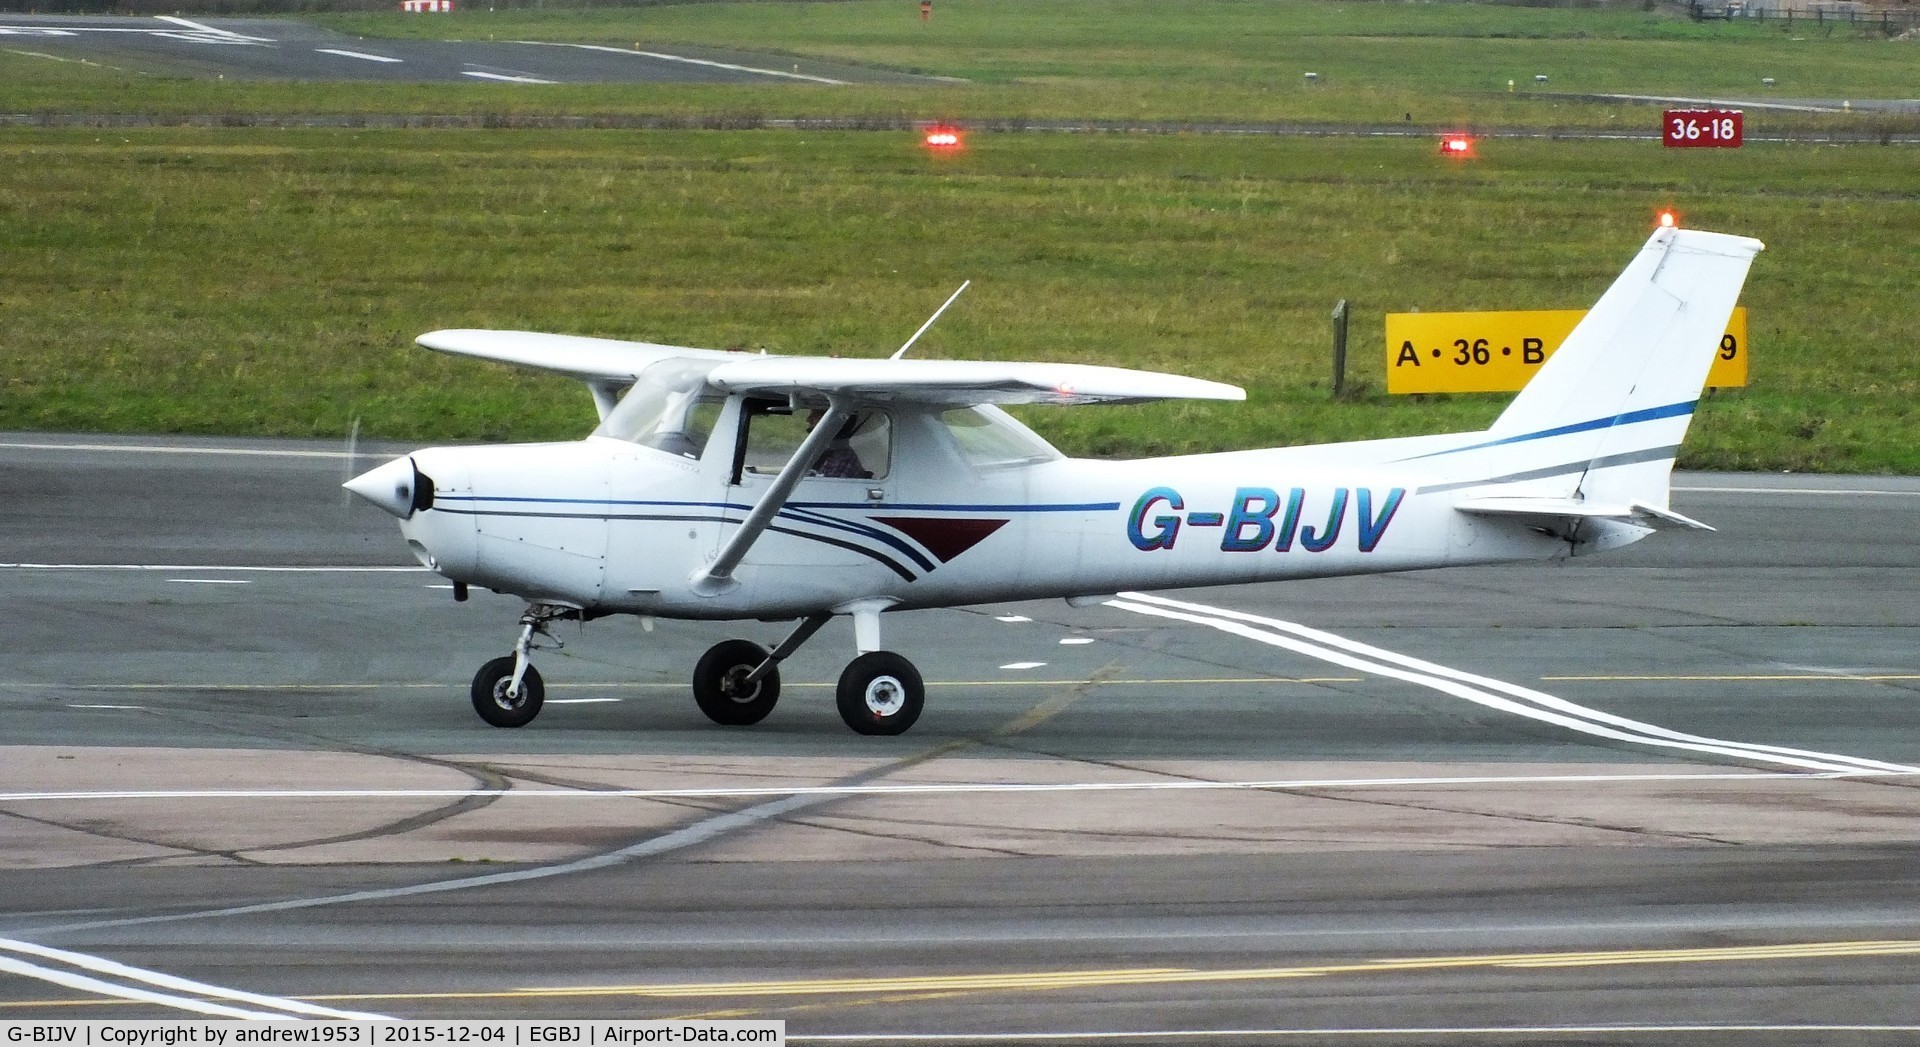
[1522, 702]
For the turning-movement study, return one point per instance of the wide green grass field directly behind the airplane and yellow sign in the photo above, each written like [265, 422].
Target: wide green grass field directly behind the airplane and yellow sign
[272, 281]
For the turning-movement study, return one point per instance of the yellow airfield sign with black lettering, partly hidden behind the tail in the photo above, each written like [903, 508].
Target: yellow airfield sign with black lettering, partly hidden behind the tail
[1500, 353]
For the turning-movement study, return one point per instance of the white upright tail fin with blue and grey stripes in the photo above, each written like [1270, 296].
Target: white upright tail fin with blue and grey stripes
[1608, 410]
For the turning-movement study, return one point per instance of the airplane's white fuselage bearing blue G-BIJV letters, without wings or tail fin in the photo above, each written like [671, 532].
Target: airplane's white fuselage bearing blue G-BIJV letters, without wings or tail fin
[961, 506]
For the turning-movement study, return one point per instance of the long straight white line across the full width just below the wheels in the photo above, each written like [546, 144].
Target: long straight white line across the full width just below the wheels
[963, 789]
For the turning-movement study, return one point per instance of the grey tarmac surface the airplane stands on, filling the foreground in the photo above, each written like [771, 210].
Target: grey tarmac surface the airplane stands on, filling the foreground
[1656, 796]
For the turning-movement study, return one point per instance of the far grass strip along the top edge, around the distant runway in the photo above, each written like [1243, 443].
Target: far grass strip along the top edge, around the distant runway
[1218, 61]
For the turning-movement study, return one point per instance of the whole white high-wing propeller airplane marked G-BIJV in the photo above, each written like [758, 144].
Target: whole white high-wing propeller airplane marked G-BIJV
[731, 487]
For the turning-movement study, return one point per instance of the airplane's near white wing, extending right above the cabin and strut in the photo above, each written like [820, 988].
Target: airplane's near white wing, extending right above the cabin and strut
[961, 383]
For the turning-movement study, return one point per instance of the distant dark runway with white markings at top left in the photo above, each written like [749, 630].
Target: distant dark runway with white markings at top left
[291, 51]
